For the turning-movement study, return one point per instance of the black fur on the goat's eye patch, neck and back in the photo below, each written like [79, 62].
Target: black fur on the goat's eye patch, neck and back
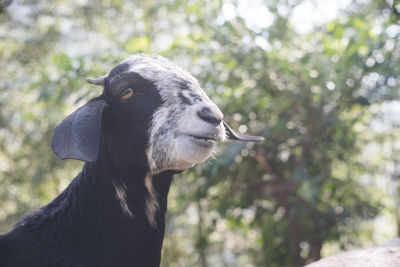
[86, 224]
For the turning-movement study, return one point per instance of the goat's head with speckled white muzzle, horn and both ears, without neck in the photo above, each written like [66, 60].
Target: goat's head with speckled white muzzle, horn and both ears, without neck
[158, 103]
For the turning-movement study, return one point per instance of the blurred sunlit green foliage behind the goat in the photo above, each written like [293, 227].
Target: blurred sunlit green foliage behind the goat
[319, 79]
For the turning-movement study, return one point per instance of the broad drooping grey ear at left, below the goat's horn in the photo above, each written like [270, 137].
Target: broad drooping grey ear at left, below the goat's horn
[78, 135]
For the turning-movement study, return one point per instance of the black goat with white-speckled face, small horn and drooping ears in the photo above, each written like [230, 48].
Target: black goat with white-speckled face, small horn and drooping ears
[151, 121]
